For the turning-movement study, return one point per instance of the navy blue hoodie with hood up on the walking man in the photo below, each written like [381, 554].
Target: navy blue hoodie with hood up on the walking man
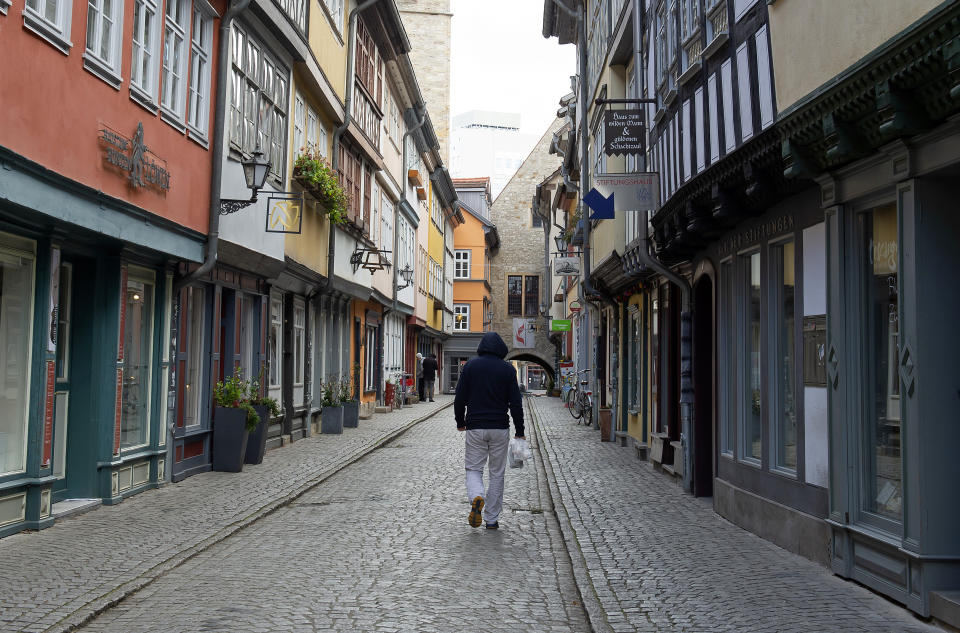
[487, 388]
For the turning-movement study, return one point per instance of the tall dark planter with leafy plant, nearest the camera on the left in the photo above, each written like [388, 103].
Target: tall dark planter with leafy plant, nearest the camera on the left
[233, 419]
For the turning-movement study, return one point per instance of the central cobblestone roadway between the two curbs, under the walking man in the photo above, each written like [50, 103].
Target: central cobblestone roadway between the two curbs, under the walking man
[383, 545]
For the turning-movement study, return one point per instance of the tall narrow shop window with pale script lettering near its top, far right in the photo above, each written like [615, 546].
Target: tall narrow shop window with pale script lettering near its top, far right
[882, 467]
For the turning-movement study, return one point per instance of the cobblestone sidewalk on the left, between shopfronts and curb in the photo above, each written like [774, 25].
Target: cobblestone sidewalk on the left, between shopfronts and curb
[55, 578]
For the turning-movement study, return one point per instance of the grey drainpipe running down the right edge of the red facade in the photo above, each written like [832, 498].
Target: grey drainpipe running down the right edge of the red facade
[216, 176]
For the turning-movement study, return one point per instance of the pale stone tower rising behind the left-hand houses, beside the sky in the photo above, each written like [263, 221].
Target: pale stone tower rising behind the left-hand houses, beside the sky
[428, 25]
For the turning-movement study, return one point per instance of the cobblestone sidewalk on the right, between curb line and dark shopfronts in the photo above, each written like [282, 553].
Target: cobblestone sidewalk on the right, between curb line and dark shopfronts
[660, 560]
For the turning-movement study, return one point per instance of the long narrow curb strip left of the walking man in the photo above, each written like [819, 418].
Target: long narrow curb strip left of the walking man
[92, 608]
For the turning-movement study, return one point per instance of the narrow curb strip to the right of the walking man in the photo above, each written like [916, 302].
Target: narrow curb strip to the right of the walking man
[596, 616]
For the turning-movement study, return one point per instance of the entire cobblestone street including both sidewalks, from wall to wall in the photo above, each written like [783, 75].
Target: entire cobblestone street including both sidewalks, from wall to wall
[382, 544]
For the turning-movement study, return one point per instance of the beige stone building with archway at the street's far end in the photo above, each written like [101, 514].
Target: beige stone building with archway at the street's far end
[521, 252]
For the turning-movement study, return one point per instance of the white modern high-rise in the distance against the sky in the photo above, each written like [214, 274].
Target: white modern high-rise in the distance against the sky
[490, 144]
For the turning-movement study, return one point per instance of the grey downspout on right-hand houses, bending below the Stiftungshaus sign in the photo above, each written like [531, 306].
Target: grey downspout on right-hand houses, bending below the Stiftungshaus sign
[649, 260]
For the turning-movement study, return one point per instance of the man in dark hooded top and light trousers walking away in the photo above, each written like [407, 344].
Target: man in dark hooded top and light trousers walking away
[486, 390]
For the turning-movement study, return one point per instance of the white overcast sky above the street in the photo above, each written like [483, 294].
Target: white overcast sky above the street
[500, 61]
